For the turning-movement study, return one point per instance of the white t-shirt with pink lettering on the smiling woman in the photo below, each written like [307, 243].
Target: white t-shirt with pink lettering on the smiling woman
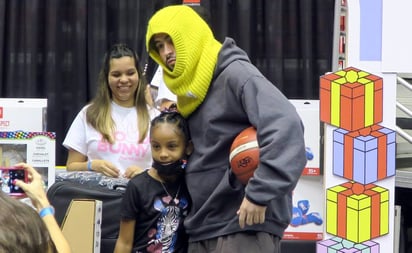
[126, 150]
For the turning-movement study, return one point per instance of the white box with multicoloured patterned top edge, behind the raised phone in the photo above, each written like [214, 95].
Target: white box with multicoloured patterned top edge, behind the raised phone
[35, 148]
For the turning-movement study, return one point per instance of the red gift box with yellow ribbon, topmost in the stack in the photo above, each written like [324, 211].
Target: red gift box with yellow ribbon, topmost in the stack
[351, 99]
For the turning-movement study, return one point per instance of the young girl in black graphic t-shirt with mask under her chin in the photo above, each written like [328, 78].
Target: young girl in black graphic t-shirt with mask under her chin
[156, 201]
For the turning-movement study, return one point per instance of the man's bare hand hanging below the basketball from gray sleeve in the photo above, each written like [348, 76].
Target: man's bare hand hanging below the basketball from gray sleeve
[250, 213]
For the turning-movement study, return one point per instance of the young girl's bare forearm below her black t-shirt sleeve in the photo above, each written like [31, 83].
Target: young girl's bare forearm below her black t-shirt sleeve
[124, 243]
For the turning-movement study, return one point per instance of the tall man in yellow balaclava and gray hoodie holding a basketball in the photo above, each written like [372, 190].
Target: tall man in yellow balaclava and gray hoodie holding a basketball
[220, 93]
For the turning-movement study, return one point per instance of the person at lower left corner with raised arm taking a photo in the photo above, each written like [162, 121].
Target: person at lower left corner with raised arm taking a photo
[22, 229]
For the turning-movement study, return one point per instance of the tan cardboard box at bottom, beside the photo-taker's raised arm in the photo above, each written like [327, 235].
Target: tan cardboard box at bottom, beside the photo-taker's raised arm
[82, 225]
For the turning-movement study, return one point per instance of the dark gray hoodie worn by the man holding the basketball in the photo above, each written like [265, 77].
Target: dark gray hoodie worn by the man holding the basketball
[238, 97]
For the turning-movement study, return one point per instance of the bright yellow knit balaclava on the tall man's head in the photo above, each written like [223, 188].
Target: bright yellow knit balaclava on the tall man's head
[196, 54]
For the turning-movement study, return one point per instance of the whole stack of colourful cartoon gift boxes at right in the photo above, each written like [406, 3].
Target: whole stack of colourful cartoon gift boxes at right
[357, 211]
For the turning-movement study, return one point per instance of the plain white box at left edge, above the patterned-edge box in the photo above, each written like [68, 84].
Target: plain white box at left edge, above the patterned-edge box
[23, 114]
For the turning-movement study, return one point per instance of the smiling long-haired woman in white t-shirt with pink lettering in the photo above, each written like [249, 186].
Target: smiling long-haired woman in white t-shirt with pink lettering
[110, 135]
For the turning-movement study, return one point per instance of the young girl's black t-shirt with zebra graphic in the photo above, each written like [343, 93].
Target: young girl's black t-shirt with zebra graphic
[159, 211]
